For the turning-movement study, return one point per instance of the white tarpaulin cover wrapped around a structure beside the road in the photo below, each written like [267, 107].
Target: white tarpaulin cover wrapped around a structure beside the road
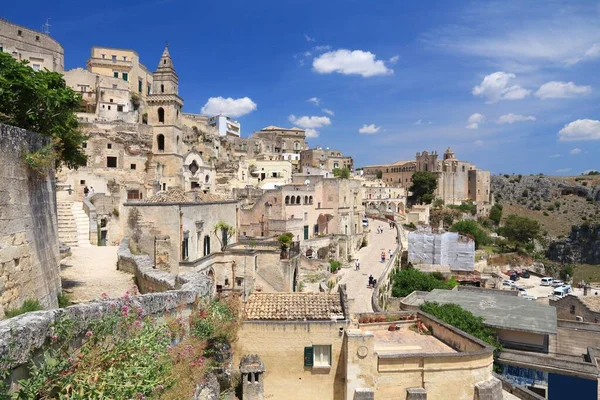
[448, 248]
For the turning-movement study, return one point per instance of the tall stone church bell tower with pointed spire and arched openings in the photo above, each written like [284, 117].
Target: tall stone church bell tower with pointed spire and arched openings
[164, 115]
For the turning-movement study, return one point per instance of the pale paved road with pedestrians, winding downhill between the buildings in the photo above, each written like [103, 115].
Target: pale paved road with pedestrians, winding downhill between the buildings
[357, 281]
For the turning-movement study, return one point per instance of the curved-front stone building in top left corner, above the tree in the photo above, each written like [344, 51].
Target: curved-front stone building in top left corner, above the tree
[24, 44]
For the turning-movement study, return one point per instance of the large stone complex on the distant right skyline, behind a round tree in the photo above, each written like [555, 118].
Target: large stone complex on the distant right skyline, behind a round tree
[458, 181]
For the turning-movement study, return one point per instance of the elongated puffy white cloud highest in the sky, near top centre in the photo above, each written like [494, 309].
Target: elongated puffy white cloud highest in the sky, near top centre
[348, 62]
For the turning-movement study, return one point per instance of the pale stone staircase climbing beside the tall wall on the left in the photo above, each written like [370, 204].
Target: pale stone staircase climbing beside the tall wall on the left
[73, 224]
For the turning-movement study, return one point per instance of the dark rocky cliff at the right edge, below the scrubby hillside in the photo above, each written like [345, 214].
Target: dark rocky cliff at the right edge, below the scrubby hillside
[582, 246]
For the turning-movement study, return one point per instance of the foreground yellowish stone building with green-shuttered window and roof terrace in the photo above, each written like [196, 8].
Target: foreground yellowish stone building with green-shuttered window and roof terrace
[309, 348]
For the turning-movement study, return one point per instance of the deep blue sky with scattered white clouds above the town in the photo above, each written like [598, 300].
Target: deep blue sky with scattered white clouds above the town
[512, 86]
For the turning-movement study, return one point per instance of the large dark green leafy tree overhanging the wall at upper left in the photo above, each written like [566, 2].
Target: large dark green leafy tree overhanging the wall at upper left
[41, 102]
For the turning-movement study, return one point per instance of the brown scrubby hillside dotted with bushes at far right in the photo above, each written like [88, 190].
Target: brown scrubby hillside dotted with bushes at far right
[557, 203]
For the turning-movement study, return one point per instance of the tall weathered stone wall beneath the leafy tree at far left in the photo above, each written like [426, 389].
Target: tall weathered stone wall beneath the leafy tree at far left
[29, 255]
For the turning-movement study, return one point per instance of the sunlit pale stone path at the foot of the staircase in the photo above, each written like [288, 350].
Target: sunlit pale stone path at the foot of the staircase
[91, 271]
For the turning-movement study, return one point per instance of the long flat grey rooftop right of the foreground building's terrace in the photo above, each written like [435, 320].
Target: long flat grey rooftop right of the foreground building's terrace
[505, 312]
